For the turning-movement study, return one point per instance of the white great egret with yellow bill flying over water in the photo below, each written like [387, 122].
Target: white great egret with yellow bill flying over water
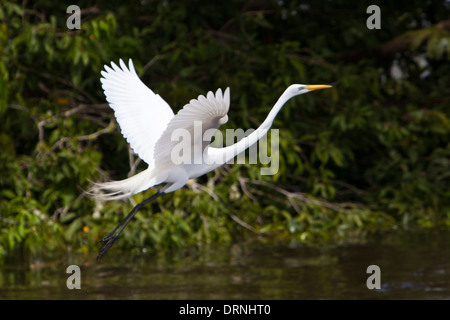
[147, 122]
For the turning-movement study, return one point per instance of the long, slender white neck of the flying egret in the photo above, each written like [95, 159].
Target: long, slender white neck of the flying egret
[227, 153]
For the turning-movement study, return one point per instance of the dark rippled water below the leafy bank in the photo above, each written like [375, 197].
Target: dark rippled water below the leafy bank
[412, 265]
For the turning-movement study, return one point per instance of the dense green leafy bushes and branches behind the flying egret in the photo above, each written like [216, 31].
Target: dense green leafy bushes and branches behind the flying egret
[371, 153]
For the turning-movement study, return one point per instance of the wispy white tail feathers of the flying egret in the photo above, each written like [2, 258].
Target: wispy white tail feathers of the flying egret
[114, 190]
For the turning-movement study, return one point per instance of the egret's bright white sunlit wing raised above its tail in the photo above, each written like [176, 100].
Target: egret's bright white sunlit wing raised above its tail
[142, 115]
